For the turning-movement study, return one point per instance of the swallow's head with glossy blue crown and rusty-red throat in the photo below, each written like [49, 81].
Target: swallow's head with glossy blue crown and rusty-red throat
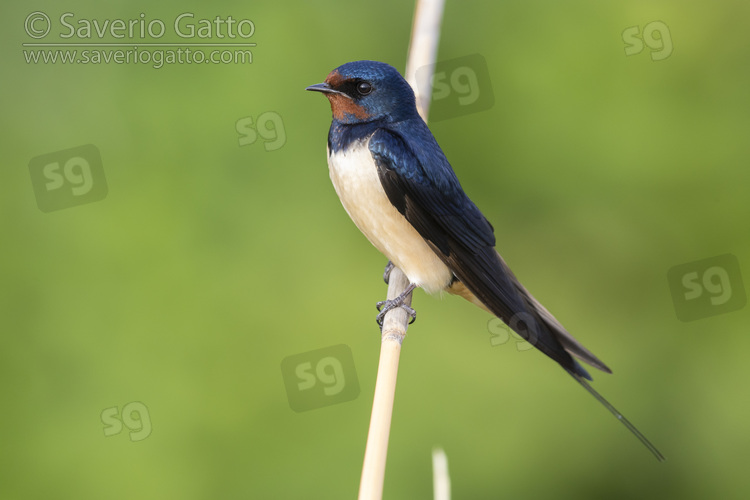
[364, 91]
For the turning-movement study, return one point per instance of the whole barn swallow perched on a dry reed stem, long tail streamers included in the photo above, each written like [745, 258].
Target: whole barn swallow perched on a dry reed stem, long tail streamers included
[399, 189]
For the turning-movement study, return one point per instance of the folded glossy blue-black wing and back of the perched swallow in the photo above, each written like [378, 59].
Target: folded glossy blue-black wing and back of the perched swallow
[420, 183]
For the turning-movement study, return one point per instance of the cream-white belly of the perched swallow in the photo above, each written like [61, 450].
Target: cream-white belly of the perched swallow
[355, 178]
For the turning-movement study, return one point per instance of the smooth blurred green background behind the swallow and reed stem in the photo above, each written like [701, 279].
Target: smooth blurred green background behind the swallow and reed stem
[209, 262]
